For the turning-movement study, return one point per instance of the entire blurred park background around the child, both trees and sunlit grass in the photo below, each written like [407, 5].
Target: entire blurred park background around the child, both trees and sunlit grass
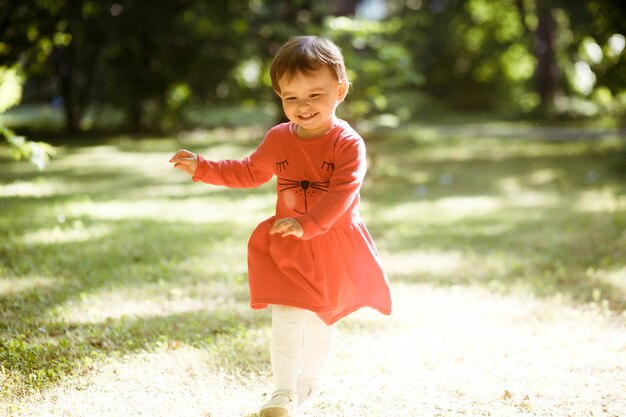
[495, 193]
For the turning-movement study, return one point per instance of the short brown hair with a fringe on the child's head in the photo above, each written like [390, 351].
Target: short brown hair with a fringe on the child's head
[305, 54]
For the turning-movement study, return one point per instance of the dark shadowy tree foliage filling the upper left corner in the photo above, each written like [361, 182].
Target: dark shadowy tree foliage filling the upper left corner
[142, 57]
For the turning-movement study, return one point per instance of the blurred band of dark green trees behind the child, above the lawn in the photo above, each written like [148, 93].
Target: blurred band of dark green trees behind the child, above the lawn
[132, 65]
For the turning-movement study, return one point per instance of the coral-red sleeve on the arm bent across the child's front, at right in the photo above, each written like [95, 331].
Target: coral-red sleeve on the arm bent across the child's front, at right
[343, 191]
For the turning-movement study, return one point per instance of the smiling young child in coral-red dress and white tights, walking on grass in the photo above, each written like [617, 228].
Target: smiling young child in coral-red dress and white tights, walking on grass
[314, 262]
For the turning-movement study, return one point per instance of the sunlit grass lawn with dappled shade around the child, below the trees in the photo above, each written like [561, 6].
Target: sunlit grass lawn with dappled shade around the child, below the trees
[123, 284]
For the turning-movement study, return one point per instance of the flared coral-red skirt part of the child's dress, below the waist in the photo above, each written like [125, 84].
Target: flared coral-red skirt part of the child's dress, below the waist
[333, 274]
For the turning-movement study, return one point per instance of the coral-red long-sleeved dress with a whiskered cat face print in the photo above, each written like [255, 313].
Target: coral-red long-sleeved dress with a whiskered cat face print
[334, 269]
